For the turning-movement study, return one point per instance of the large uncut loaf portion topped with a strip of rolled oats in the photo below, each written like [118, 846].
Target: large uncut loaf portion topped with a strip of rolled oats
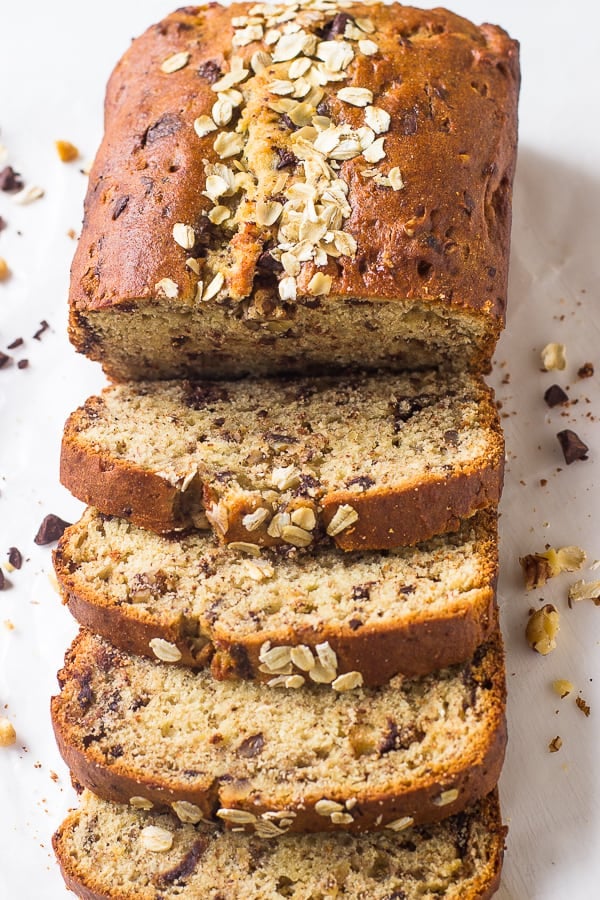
[300, 188]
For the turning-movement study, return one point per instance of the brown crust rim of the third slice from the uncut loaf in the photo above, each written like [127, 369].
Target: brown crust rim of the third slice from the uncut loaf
[113, 778]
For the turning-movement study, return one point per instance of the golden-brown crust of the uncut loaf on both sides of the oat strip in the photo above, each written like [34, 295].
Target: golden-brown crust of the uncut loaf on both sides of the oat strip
[451, 89]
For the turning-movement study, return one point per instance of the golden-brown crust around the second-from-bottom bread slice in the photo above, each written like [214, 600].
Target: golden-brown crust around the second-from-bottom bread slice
[474, 777]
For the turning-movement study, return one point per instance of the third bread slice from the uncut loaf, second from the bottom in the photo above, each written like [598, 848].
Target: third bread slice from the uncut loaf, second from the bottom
[321, 759]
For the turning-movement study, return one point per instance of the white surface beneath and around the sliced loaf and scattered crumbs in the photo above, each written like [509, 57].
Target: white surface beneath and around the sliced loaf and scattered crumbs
[54, 62]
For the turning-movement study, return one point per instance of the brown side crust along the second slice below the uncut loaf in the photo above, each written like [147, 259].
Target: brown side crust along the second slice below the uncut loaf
[408, 646]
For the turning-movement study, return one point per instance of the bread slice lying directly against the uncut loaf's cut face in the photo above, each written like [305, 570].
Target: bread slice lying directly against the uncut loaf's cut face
[372, 461]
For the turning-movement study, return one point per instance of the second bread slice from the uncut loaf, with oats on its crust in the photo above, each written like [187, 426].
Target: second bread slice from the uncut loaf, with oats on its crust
[406, 611]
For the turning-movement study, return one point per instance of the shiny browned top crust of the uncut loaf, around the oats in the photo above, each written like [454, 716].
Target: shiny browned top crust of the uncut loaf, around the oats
[451, 91]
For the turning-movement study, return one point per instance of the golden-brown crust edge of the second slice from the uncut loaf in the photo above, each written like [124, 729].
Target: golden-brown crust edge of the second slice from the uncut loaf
[378, 653]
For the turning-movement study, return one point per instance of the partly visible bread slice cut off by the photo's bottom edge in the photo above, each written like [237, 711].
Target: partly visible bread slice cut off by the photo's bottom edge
[113, 852]
